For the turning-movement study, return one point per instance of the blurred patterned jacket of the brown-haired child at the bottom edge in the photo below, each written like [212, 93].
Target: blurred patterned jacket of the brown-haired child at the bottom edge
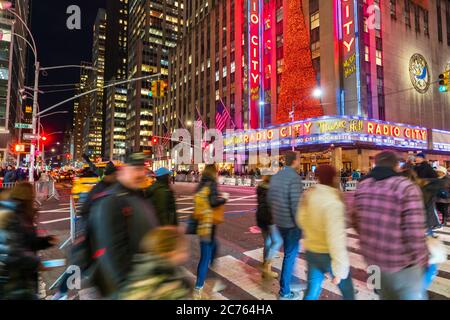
[153, 278]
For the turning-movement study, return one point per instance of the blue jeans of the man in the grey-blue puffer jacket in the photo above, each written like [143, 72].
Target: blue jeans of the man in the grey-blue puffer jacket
[291, 238]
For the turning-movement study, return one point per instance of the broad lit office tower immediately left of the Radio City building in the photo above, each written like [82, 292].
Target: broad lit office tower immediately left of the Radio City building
[154, 27]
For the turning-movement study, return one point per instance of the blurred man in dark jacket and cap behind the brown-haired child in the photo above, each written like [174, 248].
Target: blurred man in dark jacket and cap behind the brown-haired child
[117, 223]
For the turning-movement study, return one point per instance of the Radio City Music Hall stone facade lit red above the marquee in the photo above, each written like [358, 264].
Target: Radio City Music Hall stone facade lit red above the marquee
[375, 60]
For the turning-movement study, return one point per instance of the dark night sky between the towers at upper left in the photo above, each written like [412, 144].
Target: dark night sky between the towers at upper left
[57, 45]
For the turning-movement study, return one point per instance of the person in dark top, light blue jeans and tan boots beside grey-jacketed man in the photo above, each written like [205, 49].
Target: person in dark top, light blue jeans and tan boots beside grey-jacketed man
[264, 220]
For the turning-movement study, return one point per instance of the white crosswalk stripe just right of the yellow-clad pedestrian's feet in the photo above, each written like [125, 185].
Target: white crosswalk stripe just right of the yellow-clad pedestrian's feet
[242, 275]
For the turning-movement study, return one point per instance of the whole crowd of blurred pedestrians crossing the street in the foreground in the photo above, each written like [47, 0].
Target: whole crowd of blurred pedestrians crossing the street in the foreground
[132, 246]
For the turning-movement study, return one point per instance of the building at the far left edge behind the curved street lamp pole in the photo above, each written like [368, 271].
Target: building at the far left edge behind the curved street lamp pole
[13, 60]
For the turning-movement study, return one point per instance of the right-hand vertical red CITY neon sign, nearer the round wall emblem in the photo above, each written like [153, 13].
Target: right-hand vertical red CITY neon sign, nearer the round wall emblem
[348, 37]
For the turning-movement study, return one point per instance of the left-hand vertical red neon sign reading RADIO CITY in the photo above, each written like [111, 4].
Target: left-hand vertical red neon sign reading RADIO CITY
[254, 63]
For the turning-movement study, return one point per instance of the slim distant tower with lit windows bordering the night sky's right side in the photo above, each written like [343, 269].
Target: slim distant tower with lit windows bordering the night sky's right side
[94, 122]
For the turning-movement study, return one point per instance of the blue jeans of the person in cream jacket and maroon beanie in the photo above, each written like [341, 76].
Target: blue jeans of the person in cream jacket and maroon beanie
[318, 265]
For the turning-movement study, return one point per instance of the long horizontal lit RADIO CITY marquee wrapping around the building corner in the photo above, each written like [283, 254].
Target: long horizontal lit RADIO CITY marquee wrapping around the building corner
[333, 130]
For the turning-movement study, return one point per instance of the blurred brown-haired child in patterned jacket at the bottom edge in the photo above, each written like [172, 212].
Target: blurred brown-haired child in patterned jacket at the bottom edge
[157, 272]
